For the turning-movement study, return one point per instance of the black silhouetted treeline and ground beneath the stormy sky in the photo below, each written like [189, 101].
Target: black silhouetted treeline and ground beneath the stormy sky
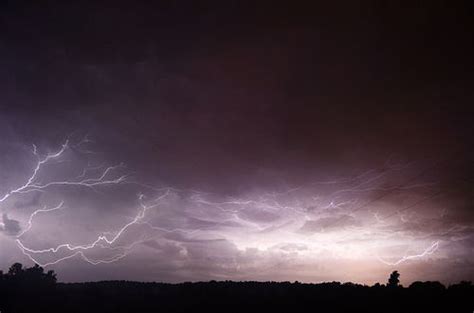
[32, 290]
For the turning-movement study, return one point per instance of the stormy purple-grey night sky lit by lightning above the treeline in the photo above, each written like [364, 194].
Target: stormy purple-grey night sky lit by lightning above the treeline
[184, 141]
